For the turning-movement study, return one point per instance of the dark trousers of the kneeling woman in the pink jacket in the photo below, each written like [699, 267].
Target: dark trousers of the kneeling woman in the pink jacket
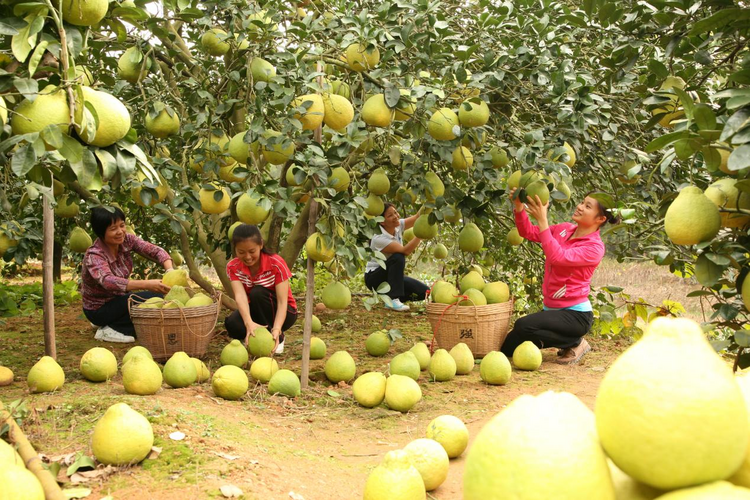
[561, 329]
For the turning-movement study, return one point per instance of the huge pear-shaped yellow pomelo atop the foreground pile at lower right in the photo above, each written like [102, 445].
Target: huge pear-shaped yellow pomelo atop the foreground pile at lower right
[669, 412]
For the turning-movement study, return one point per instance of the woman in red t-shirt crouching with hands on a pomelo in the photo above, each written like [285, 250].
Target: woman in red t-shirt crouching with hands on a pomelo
[260, 282]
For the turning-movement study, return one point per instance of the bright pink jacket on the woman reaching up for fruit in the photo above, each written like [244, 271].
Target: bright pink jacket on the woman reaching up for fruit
[569, 264]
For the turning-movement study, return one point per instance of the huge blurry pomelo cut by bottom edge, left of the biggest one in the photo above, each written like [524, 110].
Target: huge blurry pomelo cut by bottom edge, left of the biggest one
[539, 447]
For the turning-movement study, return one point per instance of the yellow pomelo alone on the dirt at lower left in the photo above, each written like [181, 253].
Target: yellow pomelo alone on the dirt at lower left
[122, 436]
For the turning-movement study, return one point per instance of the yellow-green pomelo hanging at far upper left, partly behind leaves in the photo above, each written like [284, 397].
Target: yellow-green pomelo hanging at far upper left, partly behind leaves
[49, 108]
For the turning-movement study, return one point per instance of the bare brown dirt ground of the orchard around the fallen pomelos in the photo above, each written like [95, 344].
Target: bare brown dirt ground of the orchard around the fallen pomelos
[320, 445]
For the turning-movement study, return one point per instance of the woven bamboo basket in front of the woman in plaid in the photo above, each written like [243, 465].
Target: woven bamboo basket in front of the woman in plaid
[167, 331]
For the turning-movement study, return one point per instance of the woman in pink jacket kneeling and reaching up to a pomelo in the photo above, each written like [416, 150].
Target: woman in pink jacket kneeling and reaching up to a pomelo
[572, 252]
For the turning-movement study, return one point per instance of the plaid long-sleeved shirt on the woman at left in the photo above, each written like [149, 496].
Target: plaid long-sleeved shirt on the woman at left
[105, 276]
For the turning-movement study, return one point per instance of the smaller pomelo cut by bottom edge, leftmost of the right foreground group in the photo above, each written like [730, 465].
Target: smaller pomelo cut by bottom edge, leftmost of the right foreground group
[395, 479]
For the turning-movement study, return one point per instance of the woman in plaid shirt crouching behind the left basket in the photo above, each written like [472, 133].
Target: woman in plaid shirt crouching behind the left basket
[106, 268]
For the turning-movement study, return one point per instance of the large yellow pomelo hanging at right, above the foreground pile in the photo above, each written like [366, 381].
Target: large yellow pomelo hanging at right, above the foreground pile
[692, 218]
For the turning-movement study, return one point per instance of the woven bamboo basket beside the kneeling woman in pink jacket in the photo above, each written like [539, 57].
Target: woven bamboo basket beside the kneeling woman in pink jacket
[482, 328]
